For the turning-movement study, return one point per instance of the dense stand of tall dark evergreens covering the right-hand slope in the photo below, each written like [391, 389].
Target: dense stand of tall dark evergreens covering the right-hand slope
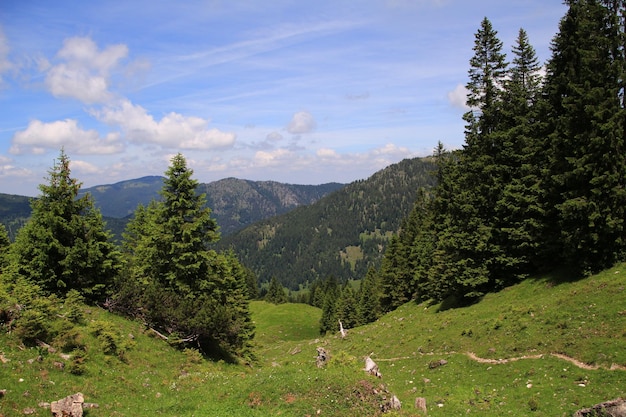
[540, 182]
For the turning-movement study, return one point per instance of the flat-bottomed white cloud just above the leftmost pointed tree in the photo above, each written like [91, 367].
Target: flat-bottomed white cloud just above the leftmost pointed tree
[40, 137]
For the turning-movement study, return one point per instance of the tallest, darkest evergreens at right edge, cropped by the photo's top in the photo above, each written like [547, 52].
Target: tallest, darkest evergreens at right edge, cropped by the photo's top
[586, 190]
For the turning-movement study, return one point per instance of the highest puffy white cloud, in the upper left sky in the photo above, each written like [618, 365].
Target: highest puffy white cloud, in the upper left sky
[84, 71]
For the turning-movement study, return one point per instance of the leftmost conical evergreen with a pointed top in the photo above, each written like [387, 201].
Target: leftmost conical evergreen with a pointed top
[65, 245]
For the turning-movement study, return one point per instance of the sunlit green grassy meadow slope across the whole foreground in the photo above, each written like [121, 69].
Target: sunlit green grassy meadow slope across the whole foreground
[585, 319]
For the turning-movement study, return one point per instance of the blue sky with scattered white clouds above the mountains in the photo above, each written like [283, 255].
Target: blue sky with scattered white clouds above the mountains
[300, 92]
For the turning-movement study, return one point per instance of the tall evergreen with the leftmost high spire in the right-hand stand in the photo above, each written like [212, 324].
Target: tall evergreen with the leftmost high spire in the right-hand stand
[468, 261]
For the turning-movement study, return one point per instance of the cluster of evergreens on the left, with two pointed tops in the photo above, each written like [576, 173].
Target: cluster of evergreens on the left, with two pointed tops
[165, 273]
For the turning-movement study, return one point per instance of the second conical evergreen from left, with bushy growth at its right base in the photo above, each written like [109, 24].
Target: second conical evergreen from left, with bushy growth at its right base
[175, 281]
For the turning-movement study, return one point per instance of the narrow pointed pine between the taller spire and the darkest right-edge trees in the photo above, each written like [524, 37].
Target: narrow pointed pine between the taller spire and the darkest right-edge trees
[518, 215]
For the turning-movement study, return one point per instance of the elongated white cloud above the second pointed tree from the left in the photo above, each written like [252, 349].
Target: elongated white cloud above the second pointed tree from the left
[172, 131]
